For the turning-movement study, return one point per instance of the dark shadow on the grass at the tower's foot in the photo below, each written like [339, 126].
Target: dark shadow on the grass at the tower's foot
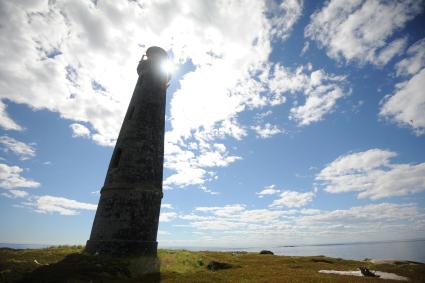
[82, 267]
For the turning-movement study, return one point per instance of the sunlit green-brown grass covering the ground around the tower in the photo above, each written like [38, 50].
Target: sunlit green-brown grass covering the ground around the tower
[70, 264]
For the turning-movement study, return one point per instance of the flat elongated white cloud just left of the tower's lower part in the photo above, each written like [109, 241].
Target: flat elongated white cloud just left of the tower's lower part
[63, 206]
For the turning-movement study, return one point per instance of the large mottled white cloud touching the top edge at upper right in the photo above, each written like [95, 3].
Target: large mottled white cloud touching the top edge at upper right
[360, 30]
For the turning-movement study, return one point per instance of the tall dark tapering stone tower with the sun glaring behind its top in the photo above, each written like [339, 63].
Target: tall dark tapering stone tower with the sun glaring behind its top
[126, 221]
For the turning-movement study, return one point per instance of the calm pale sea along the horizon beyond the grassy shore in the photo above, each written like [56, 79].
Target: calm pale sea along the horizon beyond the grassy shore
[412, 250]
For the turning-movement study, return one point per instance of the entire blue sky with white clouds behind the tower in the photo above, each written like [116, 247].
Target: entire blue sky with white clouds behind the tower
[288, 122]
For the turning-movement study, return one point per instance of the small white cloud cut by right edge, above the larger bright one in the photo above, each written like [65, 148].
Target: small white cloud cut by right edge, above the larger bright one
[415, 60]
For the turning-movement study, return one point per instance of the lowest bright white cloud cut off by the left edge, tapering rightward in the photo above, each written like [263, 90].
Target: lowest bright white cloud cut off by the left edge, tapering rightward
[10, 178]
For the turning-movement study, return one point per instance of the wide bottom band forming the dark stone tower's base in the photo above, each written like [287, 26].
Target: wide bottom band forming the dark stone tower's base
[121, 247]
